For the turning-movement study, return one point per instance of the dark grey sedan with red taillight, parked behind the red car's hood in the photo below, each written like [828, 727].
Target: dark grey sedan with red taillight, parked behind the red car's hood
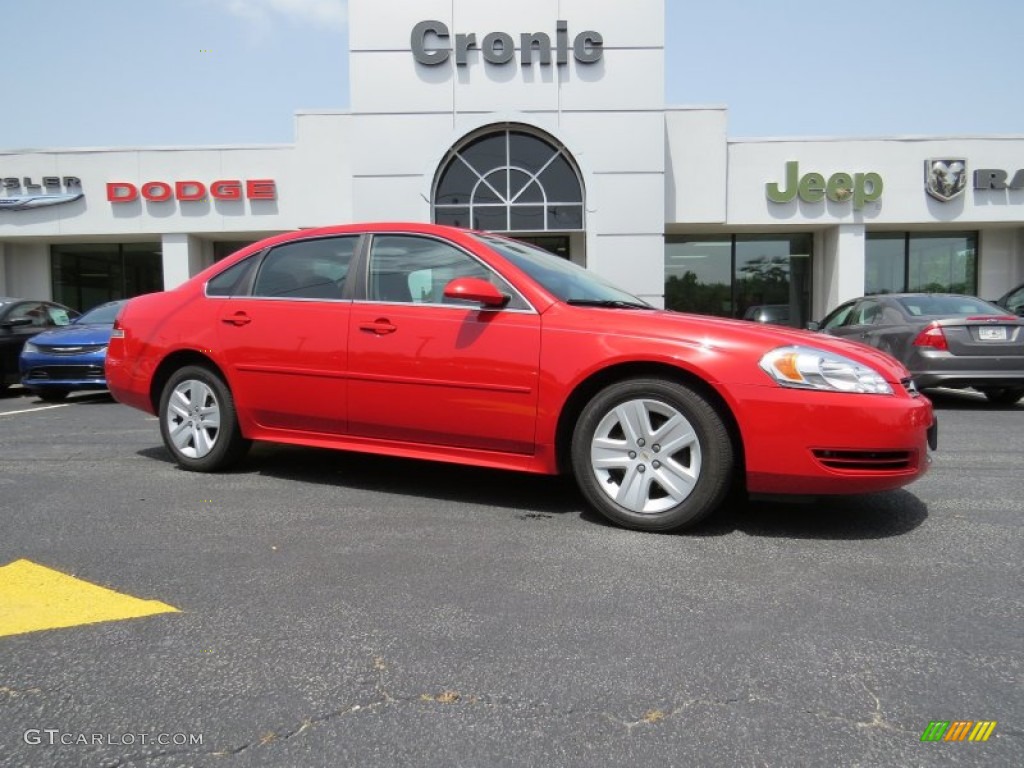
[945, 340]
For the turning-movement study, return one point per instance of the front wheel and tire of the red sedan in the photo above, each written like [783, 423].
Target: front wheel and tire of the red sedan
[630, 478]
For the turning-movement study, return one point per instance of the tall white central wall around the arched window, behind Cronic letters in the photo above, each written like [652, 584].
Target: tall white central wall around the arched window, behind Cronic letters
[610, 115]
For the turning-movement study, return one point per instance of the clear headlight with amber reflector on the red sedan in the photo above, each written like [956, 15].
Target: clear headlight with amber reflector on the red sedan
[807, 368]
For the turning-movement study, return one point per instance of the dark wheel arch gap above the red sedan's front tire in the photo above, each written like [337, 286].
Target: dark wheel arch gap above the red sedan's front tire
[598, 381]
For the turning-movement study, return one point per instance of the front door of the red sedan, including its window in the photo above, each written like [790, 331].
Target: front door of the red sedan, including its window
[426, 370]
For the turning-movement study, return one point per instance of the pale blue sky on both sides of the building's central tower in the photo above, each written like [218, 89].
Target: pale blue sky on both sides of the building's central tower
[152, 73]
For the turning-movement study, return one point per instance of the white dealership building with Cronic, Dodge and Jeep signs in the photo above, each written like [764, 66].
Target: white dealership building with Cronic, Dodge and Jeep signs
[545, 119]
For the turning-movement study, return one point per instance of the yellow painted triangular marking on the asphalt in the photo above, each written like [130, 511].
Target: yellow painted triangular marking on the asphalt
[35, 599]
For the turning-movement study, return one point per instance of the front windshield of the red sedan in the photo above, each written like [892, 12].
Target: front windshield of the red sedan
[571, 283]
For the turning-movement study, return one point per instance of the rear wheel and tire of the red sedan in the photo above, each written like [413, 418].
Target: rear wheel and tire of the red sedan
[198, 421]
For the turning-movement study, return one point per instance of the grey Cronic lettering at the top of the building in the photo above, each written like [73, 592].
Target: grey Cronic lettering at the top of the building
[432, 47]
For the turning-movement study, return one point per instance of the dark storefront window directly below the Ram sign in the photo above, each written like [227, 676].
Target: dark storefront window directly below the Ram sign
[929, 263]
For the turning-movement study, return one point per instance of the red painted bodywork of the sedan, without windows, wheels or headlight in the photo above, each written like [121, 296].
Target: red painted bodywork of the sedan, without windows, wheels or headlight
[489, 388]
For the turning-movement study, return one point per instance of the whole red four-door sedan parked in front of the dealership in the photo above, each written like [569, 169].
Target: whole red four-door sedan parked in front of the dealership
[432, 343]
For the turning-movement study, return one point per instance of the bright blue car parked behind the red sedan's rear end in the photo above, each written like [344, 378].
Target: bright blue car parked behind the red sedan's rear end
[71, 358]
